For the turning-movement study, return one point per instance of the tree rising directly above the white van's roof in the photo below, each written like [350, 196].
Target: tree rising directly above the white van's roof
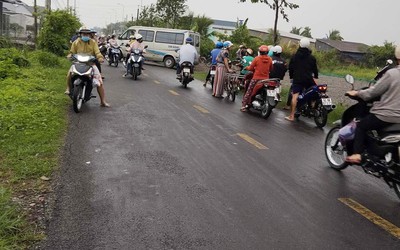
[170, 11]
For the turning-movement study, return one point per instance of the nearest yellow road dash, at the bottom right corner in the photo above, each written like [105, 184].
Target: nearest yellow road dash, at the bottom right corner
[371, 216]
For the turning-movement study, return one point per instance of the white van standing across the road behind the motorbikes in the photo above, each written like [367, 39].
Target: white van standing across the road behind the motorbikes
[162, 43]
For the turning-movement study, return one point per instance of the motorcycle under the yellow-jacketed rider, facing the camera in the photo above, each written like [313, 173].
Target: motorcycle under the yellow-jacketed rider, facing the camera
[82, 80]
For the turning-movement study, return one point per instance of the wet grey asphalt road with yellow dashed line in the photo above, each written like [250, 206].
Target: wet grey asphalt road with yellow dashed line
[169, 168]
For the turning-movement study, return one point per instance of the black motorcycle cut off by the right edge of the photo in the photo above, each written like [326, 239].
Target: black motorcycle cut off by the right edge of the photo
[382, 153]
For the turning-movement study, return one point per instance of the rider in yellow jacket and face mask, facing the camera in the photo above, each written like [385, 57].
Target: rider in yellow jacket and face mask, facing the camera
[88, 46]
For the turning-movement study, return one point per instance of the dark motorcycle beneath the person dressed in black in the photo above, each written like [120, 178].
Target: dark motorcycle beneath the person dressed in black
[315, 96]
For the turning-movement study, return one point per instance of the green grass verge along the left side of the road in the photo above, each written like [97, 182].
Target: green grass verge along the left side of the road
[32, 127]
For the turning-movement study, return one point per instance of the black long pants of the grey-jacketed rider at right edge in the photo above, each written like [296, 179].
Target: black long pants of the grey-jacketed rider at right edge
[370, 122]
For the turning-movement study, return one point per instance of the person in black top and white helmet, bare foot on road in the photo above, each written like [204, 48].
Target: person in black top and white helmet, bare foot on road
[302, 68]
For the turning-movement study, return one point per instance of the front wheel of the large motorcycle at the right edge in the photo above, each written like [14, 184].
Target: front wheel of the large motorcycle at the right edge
[335, 152]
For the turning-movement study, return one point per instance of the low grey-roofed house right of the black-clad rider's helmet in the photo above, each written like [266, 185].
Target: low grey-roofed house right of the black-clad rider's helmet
[349, 51]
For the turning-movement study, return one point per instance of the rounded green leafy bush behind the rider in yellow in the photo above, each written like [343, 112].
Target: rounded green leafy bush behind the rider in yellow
[57, 29]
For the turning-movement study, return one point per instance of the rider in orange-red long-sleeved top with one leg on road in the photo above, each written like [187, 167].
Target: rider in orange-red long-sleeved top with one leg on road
[261, 66]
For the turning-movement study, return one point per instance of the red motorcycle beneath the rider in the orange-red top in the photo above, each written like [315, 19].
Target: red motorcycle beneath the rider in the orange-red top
[265, 96]
